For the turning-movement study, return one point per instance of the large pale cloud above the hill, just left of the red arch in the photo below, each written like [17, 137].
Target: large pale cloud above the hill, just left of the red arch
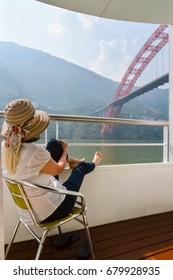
[113, 59]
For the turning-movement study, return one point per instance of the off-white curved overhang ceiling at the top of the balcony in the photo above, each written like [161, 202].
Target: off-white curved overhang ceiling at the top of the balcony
[148, 11]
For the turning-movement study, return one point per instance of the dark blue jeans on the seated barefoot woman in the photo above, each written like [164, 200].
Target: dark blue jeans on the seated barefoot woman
[73, 183]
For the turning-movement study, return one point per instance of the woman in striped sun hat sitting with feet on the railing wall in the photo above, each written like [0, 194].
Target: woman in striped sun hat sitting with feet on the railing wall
[25, 160]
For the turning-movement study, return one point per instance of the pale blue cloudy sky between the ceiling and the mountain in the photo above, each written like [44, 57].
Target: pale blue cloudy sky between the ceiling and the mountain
[104, 46]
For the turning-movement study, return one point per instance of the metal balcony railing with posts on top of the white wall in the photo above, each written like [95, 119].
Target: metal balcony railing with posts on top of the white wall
[100, 120]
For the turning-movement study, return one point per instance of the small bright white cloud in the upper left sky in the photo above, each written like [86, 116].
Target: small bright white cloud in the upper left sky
[57, 30]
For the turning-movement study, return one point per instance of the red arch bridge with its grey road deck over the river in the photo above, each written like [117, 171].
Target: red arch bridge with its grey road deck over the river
[124, 91]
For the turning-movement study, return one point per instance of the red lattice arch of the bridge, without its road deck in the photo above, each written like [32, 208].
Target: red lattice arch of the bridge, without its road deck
[149, 50]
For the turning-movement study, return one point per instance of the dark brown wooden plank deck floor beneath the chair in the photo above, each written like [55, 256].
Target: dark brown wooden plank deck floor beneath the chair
[149, 237]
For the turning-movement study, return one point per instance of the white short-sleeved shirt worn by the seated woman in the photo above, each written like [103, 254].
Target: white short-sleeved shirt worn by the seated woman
[32, 157]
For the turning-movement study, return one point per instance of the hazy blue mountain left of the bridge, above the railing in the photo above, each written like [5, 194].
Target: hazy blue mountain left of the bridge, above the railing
[50, 82]
